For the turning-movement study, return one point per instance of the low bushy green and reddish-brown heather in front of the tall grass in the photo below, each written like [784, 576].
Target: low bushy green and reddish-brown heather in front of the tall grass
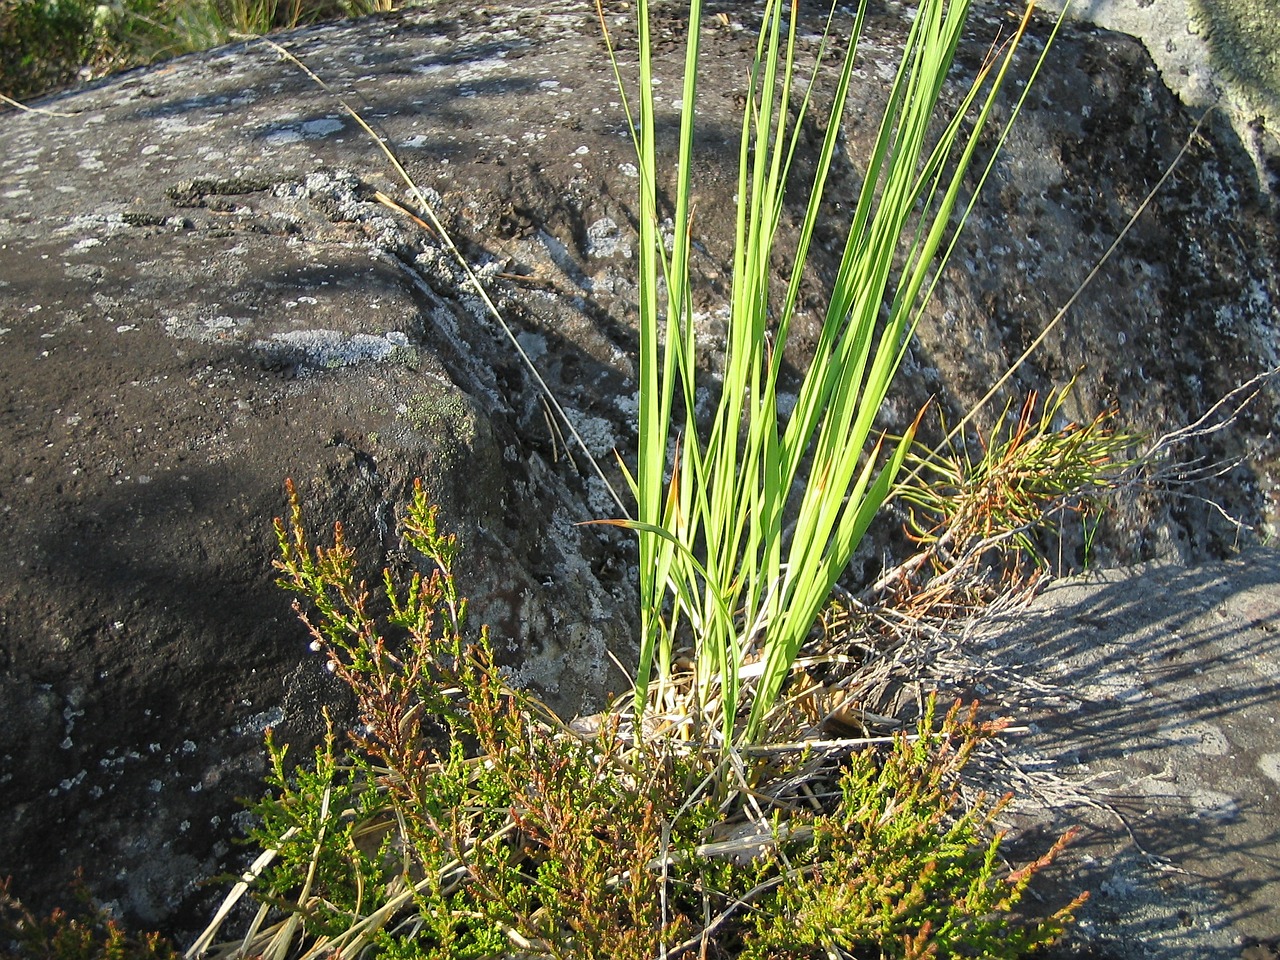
[463, 819]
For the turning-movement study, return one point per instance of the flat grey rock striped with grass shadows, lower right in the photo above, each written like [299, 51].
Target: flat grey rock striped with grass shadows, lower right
[1154, 715]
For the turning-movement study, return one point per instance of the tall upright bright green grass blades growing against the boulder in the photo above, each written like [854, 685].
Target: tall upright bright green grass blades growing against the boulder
[751, 509]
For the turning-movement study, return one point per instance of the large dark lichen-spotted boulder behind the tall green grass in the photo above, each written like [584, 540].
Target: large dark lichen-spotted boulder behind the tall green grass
[212, 281]
